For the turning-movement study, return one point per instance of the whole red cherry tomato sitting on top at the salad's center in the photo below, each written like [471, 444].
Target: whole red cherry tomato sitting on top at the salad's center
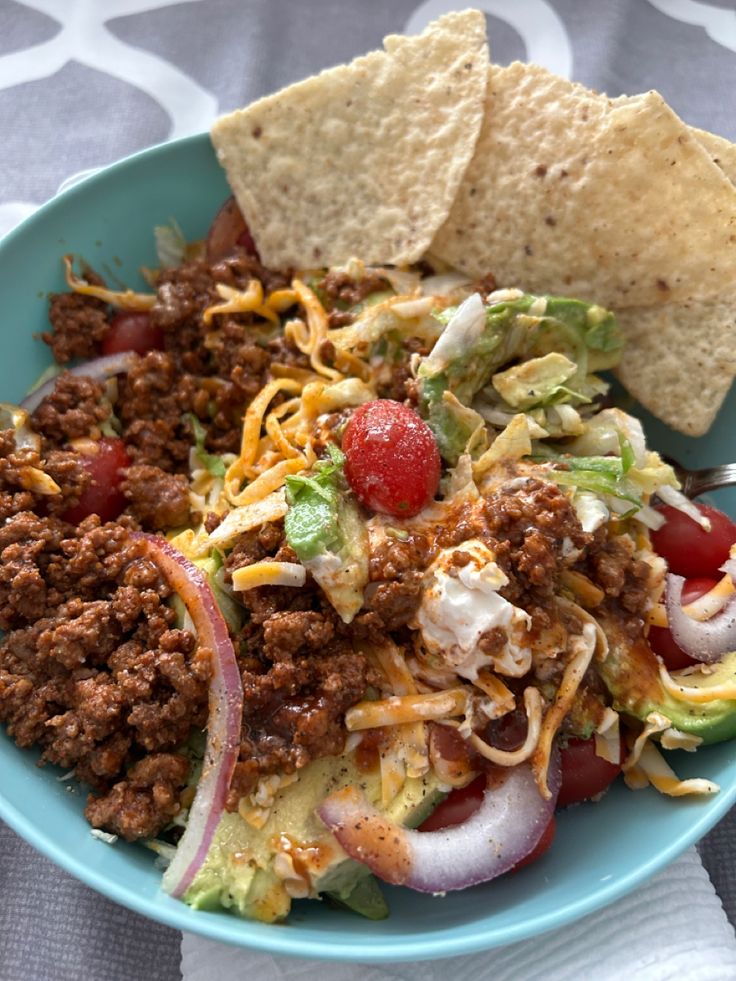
[391, 458]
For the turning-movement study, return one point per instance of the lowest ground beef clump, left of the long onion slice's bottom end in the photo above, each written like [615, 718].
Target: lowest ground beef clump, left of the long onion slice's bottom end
[149, 797]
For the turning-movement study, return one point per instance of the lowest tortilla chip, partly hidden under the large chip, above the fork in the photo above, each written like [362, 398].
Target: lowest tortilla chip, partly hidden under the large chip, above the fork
[680, 359]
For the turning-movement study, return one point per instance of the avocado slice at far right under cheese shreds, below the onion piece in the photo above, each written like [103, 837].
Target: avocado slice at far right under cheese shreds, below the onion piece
[631, 674]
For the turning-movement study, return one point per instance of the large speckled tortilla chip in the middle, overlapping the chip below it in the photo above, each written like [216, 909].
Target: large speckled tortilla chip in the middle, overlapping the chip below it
[569, 192]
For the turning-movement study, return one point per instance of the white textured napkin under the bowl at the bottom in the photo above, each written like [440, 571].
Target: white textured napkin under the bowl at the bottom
[671, 929]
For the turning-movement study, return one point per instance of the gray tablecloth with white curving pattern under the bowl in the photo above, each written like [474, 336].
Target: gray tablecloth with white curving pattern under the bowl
[83, 83]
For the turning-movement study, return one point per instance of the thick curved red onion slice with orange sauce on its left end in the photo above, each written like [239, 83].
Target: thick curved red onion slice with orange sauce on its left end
[503, 831]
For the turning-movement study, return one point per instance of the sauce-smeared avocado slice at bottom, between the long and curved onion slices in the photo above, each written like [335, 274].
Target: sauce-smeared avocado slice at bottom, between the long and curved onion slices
[240, 873]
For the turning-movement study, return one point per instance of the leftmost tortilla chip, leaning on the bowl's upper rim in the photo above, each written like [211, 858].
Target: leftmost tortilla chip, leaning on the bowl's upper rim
[364, 159]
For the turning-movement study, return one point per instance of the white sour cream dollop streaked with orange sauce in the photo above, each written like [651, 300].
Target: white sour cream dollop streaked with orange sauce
[461, 603]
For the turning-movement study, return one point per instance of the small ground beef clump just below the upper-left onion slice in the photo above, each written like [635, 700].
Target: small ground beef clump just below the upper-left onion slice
[74, 409]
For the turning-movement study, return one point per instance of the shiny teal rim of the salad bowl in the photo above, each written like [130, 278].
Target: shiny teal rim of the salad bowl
[226, 928]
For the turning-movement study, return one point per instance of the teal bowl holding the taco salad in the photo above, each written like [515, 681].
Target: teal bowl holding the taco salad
[602, 851]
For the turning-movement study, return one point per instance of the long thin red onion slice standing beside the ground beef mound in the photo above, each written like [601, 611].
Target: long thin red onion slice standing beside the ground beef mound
[225, 712]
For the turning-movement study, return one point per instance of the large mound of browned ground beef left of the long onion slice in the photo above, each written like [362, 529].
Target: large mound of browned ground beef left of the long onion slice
[92, 669]
